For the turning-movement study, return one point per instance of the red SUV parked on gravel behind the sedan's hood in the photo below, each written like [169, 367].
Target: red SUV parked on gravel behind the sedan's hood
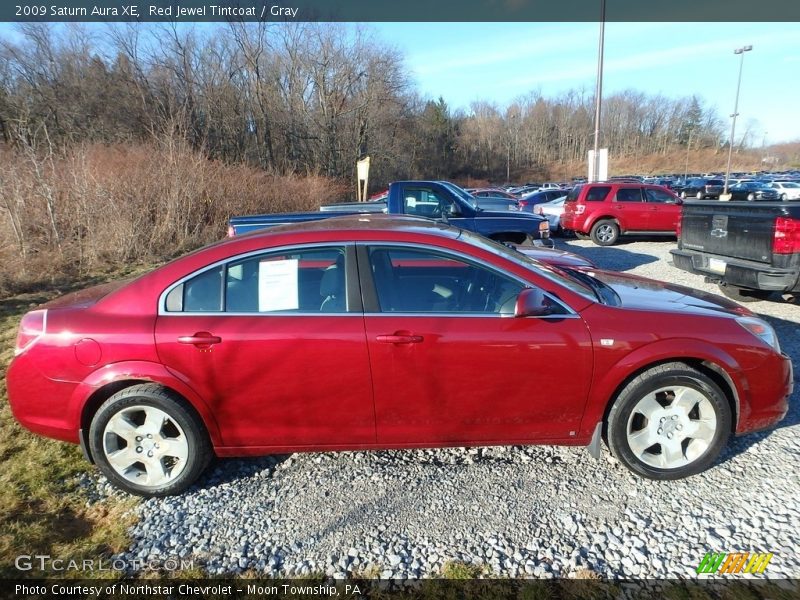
[604, 211]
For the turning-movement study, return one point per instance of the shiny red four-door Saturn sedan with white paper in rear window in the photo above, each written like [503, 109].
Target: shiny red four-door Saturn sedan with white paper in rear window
[376, 332]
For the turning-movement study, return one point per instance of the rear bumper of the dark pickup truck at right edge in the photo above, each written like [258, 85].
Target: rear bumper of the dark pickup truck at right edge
[738, 272]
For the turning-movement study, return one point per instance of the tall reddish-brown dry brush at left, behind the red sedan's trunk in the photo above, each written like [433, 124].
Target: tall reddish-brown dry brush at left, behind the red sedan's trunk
[95, 207]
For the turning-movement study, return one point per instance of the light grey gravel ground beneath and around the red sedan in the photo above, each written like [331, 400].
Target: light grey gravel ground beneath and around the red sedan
[532, 512]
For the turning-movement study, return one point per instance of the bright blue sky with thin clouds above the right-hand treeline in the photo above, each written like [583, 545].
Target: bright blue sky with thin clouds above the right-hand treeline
[499, 62]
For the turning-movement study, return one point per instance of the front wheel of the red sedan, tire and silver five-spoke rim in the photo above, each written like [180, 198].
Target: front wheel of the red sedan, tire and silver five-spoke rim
[651, 417]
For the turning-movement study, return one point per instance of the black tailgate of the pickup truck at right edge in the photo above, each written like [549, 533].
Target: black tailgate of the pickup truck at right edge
[742, 230]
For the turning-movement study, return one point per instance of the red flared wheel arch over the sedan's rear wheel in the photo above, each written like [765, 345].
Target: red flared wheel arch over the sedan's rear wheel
[140, 371]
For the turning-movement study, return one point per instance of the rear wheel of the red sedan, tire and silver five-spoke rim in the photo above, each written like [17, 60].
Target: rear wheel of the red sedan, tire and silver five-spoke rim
[145, 433]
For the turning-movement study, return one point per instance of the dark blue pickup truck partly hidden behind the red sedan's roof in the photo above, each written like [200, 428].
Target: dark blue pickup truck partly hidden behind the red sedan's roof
[439, 200]
